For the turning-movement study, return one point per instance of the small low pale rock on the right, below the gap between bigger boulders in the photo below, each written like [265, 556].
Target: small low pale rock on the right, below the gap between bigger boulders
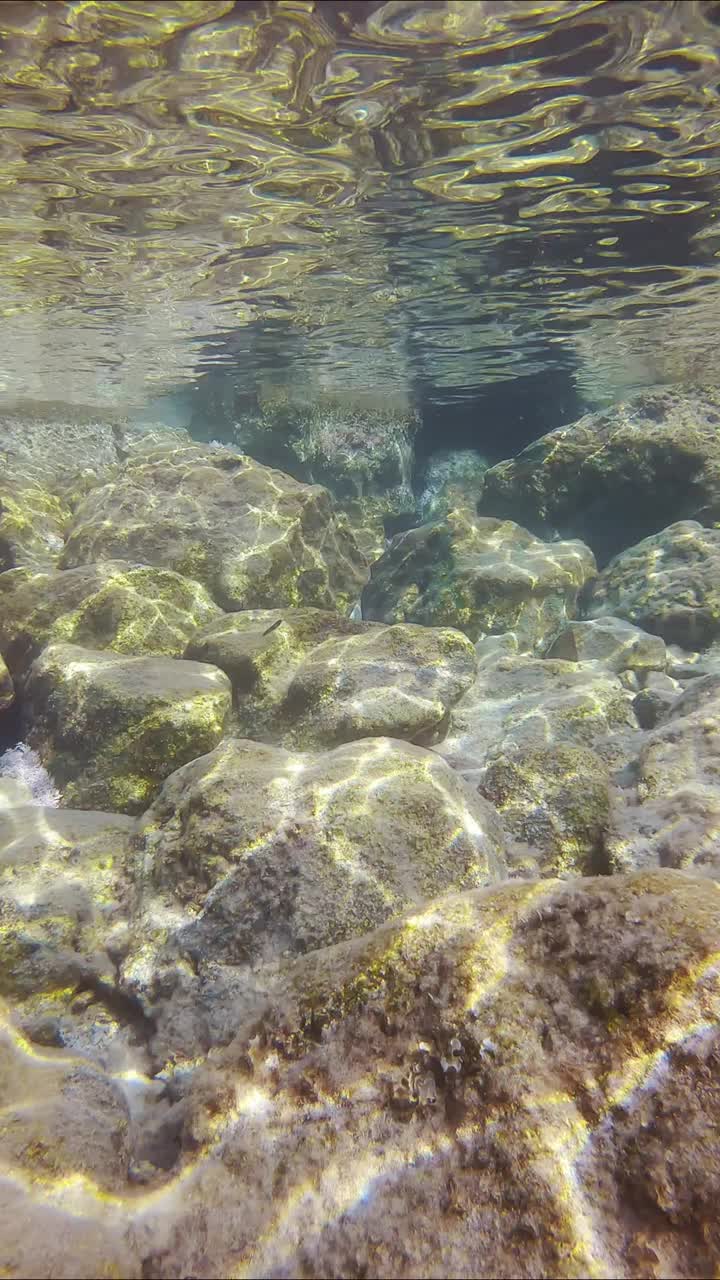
[614, 643]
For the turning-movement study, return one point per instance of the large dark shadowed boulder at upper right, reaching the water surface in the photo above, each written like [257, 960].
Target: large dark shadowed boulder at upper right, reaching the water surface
[618, 476]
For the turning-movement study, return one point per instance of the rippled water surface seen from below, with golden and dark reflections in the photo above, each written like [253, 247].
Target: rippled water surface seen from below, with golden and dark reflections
[455, 193]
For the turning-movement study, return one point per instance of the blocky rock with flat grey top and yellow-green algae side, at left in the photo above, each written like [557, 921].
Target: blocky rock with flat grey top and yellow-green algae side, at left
[111, 729]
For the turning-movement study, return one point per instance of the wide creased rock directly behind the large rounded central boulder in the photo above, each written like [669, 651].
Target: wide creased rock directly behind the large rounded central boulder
[309, 679]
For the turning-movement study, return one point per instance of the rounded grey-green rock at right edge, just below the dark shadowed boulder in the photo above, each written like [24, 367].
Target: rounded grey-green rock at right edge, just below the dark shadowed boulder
[669, 584]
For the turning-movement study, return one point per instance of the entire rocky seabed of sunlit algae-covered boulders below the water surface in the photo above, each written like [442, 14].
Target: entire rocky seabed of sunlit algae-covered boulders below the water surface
[361, 907]
